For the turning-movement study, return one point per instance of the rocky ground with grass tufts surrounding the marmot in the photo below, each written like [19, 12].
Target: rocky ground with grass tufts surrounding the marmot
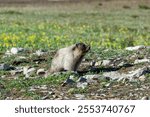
[106, 75]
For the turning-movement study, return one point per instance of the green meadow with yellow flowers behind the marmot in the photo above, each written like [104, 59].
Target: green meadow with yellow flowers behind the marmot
[51, 28]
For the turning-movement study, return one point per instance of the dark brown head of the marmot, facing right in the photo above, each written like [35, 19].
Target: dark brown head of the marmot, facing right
[82, 48]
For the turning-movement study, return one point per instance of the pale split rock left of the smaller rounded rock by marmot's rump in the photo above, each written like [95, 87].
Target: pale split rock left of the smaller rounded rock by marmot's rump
[27, 71]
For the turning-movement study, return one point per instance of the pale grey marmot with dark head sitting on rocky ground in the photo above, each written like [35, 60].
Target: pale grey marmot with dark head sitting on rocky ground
[69, 58]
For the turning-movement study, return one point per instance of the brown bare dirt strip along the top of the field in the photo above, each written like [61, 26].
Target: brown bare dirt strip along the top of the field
[99, 3]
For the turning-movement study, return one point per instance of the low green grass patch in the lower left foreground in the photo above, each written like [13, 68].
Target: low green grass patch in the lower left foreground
[9, 86]
